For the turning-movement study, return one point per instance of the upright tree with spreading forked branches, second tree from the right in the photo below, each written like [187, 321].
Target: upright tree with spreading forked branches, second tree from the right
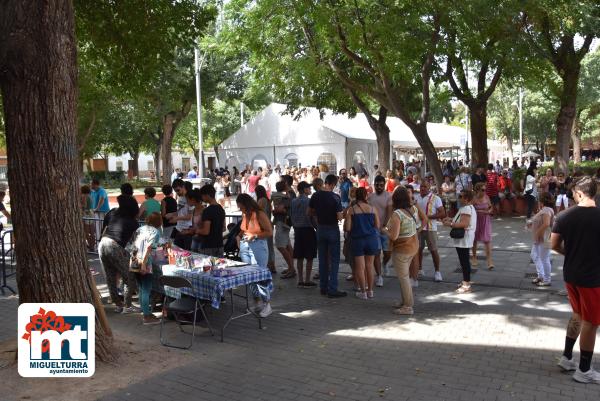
[480, 40]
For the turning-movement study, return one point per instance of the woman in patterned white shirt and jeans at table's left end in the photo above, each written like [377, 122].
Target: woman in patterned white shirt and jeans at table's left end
[144, 242]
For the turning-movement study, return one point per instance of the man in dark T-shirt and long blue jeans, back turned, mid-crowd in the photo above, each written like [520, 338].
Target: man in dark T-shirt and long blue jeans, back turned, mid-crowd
[327, 206]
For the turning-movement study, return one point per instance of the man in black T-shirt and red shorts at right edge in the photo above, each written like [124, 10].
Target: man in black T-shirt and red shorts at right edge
[576, 234]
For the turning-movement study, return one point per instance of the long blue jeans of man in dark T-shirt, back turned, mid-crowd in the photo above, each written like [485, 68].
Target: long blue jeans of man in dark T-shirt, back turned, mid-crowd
[328, 243]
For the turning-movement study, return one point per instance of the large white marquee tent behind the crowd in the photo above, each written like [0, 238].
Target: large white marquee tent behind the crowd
[336, 140]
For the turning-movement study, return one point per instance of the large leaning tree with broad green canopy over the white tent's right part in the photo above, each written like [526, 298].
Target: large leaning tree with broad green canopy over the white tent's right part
[364, 45]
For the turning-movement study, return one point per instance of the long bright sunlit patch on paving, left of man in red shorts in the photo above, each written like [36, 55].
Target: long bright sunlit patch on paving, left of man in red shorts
[478, 329]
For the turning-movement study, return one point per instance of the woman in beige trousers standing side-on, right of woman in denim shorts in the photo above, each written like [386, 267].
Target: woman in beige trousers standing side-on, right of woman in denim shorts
[402, 231]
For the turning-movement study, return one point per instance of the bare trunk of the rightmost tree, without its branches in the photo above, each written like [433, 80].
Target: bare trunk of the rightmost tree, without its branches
[566, 119]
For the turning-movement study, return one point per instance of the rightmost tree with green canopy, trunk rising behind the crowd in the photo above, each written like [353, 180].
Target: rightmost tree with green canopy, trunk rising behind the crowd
[562, 33]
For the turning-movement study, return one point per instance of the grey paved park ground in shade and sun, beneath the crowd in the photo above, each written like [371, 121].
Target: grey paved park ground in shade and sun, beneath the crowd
[500, 342]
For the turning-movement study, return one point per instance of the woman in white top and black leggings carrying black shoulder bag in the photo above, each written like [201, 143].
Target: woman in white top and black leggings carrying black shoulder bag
[465, 218]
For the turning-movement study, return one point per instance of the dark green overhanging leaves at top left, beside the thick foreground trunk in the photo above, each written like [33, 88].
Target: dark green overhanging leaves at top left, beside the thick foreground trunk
[132, 41]
